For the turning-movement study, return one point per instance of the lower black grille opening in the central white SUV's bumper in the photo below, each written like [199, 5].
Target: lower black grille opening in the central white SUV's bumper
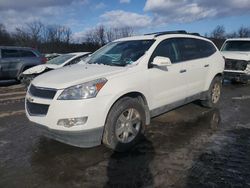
[37, 109]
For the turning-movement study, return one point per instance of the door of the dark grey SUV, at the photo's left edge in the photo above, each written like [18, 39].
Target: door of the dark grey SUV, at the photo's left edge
[9, 63]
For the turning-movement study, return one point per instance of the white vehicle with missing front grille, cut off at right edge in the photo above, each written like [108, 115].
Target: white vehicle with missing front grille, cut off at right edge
[237, 56]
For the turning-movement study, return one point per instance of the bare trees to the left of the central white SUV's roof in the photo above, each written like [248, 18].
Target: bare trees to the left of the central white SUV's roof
[58, 38]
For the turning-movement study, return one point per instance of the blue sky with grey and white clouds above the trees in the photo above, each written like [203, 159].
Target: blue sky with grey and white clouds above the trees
[144, 15]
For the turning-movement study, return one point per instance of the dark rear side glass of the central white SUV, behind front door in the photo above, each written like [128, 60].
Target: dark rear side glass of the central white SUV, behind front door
[194, 48]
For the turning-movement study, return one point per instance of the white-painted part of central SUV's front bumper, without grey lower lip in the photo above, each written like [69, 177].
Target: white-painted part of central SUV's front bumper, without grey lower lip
[94, 109]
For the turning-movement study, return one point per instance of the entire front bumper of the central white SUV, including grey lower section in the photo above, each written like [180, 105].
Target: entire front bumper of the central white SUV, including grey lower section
[88, 134]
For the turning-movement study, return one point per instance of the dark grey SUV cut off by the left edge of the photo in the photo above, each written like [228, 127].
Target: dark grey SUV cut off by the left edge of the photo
[15, 60]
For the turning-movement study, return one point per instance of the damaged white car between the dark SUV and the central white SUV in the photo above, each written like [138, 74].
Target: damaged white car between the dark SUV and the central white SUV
[58, 62]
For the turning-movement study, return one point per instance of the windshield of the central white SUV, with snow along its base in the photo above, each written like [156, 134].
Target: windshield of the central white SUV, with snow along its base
[120, 53]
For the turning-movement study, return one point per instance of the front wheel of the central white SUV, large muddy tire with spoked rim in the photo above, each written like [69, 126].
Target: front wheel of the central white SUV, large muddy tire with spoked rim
[125, 124]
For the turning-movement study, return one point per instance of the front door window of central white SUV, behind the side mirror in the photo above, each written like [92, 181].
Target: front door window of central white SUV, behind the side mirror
[167, 48]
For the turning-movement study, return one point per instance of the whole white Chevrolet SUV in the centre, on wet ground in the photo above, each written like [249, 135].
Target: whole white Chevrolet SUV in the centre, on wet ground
[111, 98]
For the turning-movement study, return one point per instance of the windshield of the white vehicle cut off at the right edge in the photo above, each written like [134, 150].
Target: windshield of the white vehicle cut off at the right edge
[236, 46]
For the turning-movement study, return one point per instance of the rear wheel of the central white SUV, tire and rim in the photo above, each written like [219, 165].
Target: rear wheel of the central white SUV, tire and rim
[213, 94]
